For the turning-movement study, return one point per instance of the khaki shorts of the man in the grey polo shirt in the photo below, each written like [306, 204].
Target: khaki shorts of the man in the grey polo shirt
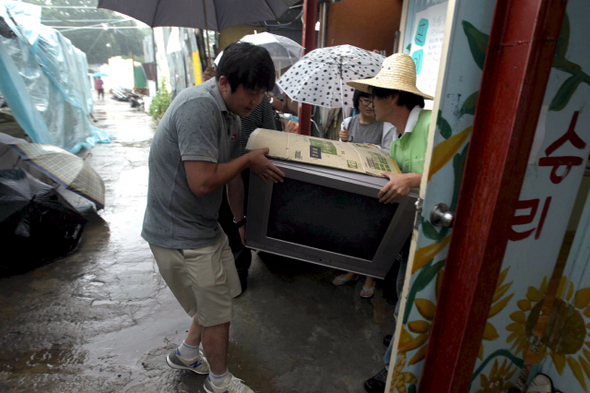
[203, 280]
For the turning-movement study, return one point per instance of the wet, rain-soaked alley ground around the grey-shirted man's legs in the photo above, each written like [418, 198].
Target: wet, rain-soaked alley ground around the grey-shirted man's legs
[102, 320]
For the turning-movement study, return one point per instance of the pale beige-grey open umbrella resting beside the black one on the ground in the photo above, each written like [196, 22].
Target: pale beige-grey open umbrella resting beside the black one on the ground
[67, 169]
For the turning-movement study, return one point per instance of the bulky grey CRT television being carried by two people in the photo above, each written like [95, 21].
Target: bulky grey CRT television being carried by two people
[329, 217]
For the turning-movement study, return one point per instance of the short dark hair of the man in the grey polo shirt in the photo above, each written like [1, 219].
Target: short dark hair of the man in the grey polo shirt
[248, 65]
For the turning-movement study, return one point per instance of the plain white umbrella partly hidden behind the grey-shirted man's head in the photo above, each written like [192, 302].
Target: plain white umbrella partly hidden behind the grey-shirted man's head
[283, 51]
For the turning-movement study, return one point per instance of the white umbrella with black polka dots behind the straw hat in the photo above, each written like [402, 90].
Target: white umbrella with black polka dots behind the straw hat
[319, 77]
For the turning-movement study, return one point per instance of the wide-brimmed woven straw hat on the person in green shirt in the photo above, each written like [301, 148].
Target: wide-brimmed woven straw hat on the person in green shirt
[398, 72]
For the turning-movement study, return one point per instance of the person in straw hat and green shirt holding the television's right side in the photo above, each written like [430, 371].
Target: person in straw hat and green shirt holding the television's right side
[397, 100]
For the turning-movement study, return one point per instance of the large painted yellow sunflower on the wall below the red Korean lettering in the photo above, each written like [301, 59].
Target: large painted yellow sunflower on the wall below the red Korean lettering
[565, 335]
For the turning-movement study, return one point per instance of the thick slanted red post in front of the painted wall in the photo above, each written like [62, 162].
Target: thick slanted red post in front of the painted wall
[518, 62]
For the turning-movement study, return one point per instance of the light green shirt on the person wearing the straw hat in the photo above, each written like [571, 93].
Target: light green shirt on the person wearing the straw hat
[409, 150]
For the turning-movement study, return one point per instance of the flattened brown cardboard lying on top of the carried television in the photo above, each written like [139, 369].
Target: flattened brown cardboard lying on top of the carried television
[354, 157]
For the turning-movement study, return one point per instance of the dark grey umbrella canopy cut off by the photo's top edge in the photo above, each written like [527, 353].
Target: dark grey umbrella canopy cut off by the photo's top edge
[219, 15]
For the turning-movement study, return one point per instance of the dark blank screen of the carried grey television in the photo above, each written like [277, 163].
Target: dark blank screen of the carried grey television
[321, 217]
